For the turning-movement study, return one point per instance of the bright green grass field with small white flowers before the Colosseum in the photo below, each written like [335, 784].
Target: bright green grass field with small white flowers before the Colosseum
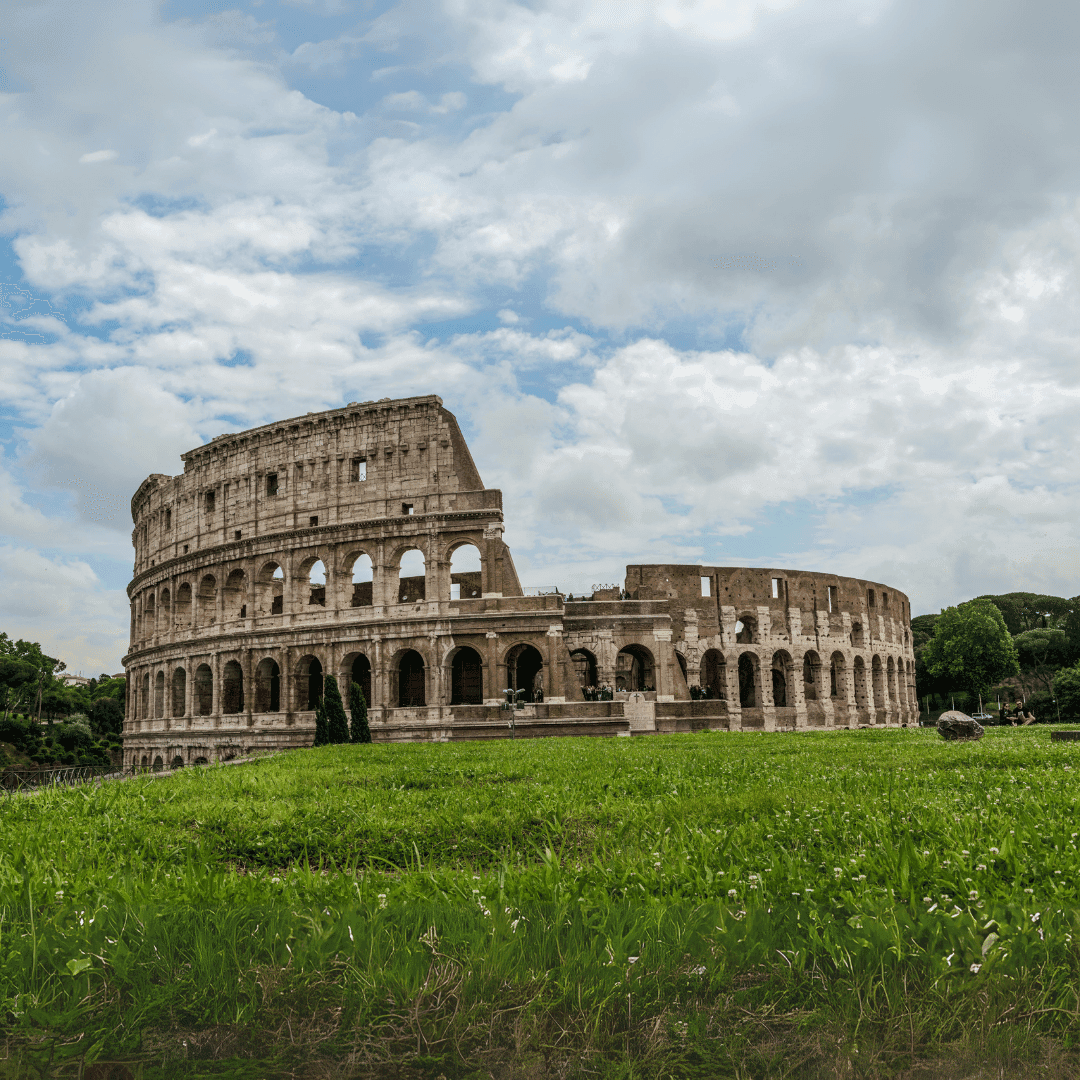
[749, 906]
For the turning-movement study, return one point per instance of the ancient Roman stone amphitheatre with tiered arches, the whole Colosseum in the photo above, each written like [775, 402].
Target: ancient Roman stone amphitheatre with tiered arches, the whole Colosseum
[361, 543]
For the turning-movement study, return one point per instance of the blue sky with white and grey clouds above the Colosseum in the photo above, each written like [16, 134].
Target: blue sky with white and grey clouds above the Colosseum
[787, 283]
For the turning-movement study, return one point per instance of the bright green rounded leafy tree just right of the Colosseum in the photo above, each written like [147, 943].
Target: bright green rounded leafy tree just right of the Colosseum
[973, 647]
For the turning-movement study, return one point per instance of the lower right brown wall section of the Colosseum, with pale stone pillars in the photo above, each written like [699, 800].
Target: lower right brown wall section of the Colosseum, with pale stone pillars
[843, 646]
